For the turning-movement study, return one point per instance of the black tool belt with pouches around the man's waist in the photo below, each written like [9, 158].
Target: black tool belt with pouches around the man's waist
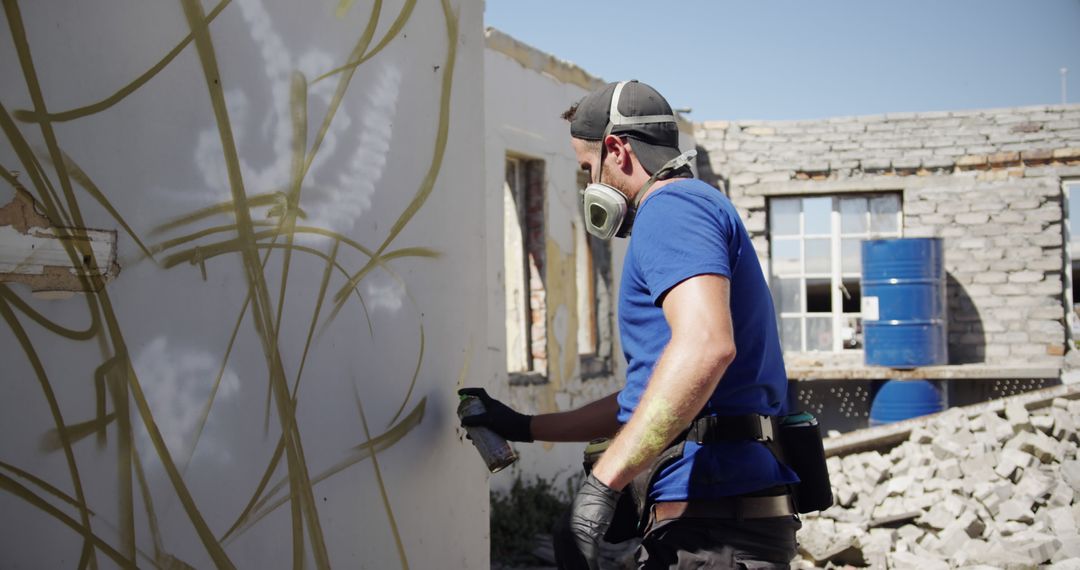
[794, 441]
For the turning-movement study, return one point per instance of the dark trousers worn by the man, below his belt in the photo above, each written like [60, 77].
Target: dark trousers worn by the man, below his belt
[717, 544]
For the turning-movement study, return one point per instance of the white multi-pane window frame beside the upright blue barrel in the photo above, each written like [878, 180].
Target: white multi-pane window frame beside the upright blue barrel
[836, 275]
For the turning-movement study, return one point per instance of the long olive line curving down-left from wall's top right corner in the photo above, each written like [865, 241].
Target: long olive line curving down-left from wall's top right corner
[441, 139]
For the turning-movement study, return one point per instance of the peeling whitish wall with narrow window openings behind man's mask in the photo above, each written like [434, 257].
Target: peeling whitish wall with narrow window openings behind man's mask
[526, 91]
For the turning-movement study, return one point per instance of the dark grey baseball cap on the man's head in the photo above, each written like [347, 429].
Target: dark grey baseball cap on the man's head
[642, 115]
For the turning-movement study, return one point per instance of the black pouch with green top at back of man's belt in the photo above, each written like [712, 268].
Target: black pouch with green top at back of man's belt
[802, 450]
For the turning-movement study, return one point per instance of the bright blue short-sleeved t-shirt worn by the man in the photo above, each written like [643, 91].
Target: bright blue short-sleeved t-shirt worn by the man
[685, 229]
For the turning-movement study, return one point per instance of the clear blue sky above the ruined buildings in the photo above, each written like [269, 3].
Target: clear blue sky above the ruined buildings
[812, 60]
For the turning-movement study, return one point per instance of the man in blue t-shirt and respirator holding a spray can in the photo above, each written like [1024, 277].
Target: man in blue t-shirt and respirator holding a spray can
[699, 333]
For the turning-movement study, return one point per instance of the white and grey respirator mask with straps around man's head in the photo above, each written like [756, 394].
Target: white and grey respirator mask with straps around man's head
[607, 212]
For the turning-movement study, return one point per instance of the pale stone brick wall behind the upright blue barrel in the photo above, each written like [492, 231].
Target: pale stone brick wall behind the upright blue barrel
[988, 182]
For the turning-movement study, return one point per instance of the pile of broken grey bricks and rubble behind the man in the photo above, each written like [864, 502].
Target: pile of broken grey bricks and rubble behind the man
[962, 492]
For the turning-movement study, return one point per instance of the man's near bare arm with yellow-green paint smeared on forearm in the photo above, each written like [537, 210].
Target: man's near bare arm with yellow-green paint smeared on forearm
[701, 348]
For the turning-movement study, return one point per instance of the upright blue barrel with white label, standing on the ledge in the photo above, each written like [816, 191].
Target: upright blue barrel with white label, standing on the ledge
[903, 304]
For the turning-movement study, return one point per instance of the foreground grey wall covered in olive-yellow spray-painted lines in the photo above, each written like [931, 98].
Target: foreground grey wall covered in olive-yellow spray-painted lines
[298, 255]
